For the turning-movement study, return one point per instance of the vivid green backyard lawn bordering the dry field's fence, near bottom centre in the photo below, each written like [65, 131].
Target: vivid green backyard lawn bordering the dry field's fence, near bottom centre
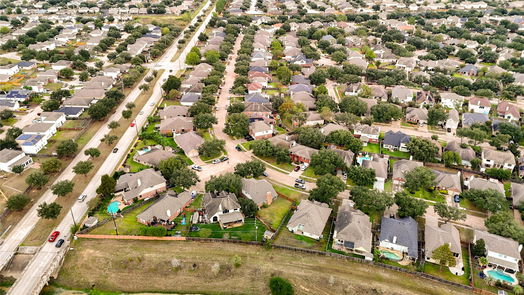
[246, 232]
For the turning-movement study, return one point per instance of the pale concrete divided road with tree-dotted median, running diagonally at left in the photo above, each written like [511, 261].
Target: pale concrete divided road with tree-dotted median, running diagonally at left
[38, 270]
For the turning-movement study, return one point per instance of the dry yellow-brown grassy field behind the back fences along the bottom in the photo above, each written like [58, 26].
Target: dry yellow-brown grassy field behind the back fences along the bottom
[105, 263]
